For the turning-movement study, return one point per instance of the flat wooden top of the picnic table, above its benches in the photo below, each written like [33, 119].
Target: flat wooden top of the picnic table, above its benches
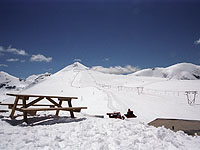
[32, 95]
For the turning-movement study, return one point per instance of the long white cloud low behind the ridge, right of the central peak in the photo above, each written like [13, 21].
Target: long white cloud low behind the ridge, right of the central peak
[116, 70]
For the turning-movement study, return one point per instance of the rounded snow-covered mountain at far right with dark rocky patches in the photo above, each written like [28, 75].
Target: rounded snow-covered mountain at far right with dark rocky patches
[181, 71]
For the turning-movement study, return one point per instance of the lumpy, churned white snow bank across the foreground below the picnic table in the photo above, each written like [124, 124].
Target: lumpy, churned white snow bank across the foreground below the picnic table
[93, 133]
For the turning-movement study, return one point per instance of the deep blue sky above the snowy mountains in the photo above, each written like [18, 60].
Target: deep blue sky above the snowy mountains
[45, 36]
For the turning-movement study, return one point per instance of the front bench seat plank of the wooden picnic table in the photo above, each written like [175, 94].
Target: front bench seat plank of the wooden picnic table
[56, 108]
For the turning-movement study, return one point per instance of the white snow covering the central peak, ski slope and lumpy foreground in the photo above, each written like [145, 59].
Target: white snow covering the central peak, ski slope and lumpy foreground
[148, 97]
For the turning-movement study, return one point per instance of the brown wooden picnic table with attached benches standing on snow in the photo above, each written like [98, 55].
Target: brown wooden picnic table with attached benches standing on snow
[54, 105]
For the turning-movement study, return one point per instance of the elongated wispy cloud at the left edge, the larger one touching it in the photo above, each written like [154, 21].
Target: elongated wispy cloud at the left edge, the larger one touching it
[13, 50]
